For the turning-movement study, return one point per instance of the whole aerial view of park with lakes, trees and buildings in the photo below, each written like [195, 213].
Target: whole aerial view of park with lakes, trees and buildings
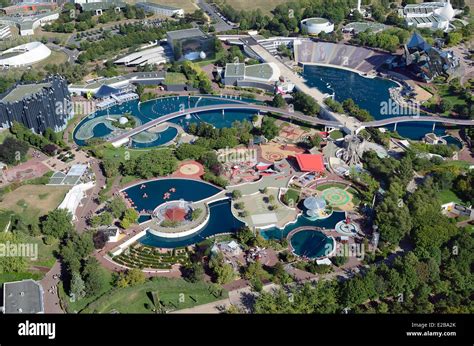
[196, 157]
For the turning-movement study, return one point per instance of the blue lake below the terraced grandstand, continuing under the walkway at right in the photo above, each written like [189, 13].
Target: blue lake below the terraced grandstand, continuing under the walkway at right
[367, 93]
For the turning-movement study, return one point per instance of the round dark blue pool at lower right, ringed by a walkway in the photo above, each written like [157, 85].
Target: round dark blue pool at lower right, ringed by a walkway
[311, 244]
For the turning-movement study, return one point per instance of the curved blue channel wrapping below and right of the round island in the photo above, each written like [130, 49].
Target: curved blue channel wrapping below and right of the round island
[220, 221]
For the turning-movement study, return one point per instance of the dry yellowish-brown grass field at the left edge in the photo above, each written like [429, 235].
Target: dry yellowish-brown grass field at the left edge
[33, 201]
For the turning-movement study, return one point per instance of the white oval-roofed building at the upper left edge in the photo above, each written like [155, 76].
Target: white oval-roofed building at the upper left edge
[25, 54]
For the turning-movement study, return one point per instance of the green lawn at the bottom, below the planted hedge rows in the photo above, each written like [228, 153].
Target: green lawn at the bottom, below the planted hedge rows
[175, 294]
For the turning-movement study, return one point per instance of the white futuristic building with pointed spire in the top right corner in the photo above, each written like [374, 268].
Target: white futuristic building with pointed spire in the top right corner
[431, 15]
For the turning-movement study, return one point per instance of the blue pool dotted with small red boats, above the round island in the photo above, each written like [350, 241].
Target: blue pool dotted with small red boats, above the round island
[186, 189]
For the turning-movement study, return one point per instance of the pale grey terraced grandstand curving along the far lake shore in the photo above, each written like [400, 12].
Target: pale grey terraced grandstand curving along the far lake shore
[357, 58]
